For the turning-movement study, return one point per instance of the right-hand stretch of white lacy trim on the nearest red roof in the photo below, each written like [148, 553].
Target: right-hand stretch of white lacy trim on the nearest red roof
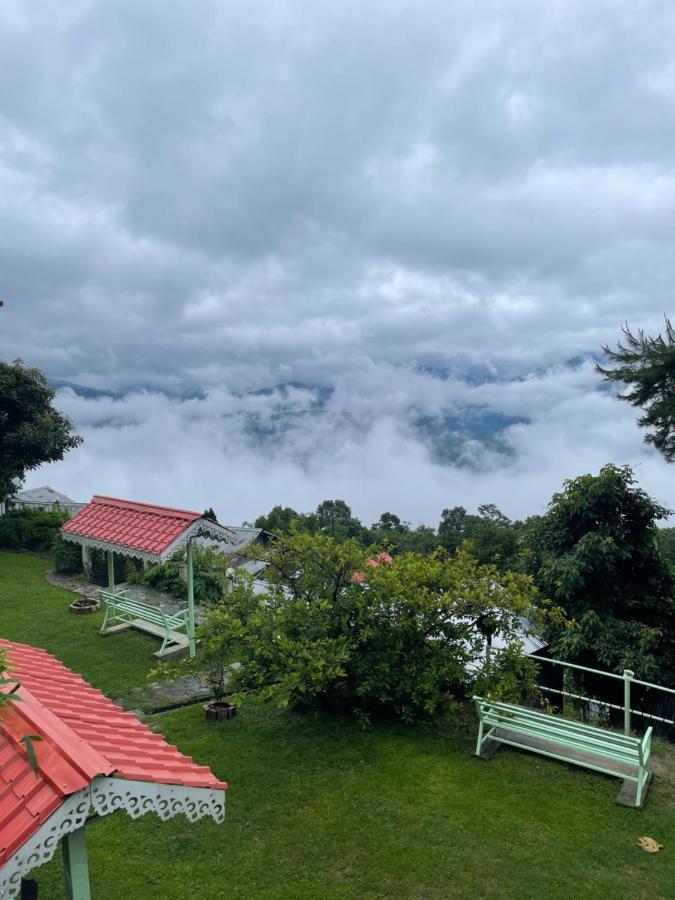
[137, 798]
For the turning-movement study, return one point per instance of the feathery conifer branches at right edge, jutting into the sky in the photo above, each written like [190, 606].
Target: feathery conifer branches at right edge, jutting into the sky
[647, 366]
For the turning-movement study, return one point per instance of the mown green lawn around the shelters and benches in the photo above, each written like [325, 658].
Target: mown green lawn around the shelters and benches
[320, 808]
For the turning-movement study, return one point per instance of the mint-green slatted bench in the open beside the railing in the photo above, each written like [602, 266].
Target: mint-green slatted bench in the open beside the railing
[610, 752]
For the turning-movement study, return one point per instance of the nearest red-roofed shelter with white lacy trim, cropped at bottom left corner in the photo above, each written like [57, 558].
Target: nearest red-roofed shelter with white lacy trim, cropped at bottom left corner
[92, 758]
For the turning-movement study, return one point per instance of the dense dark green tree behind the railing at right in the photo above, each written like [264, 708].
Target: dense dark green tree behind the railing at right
[595, 554]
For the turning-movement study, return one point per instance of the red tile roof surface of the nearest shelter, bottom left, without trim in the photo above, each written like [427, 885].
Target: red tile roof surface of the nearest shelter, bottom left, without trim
[83, 734]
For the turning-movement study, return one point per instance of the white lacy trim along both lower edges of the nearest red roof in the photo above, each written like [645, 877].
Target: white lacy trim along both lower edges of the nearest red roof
[105, 796]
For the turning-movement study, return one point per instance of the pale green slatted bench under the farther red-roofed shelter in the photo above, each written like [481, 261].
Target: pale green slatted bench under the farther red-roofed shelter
[124, 612]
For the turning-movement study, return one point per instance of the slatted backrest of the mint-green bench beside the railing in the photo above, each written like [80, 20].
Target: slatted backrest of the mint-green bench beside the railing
[568, 732]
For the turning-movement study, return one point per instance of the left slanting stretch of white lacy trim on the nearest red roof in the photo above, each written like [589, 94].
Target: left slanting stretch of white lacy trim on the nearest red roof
[41, 847]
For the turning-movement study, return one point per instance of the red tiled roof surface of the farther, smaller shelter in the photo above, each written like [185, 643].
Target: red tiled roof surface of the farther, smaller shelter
[141, 526]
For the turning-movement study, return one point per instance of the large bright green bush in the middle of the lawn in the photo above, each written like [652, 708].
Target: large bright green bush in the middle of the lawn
[367, 634]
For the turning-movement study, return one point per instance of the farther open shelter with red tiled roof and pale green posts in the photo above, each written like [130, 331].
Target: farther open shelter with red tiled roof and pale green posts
[147, 532]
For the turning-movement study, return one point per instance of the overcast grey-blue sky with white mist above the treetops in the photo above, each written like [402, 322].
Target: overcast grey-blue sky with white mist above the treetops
[425, 206]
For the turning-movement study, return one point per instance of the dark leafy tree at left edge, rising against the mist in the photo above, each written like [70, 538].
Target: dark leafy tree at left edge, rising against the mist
[32, 432]
